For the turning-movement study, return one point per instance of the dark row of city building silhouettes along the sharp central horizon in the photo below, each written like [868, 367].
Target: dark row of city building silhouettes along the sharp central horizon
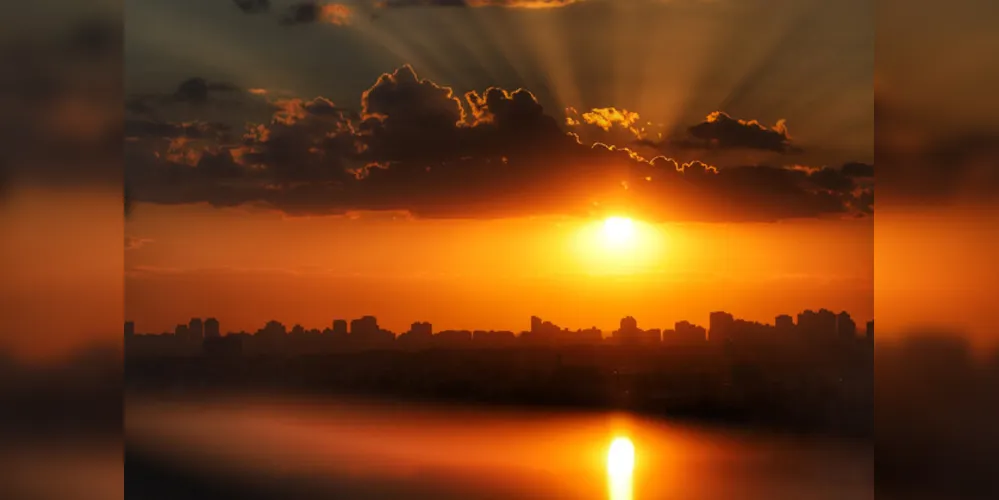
[821, 329]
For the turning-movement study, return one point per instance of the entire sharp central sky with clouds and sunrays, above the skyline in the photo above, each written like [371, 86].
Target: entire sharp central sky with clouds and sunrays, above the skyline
[441, 162]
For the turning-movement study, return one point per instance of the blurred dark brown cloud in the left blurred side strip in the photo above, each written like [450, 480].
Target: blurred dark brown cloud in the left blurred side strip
[62, 99]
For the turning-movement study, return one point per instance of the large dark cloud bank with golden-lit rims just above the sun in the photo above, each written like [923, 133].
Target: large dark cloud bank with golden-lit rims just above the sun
[416, 146]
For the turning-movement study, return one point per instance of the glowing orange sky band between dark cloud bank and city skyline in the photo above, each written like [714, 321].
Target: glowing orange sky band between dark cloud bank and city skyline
[246, 268]
